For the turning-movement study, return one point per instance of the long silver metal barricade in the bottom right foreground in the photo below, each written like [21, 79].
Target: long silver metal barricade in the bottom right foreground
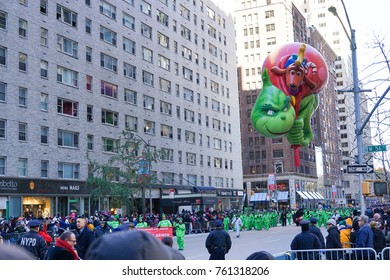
[332, 254]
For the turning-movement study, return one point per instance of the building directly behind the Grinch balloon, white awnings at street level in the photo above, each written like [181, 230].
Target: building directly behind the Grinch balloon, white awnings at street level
[262, 27]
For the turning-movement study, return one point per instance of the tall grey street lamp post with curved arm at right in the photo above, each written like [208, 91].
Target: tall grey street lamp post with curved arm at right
[356, 93]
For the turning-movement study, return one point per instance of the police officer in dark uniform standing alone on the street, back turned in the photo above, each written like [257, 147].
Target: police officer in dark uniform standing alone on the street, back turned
[218, 242]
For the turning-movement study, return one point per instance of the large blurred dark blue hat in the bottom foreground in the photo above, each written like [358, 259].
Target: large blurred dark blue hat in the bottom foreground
[131, 245]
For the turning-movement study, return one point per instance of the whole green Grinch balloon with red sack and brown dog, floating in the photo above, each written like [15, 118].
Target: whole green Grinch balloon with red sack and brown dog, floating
[292, 77]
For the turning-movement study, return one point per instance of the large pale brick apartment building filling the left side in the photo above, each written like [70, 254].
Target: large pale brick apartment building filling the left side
[75, 74]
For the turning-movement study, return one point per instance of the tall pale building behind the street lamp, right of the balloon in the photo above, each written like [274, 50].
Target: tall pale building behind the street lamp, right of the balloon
[317, 14]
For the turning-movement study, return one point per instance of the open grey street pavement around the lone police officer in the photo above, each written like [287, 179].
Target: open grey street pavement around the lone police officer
[276, 240]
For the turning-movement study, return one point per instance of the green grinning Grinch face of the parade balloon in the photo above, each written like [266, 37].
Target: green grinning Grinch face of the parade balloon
[272, 116]
